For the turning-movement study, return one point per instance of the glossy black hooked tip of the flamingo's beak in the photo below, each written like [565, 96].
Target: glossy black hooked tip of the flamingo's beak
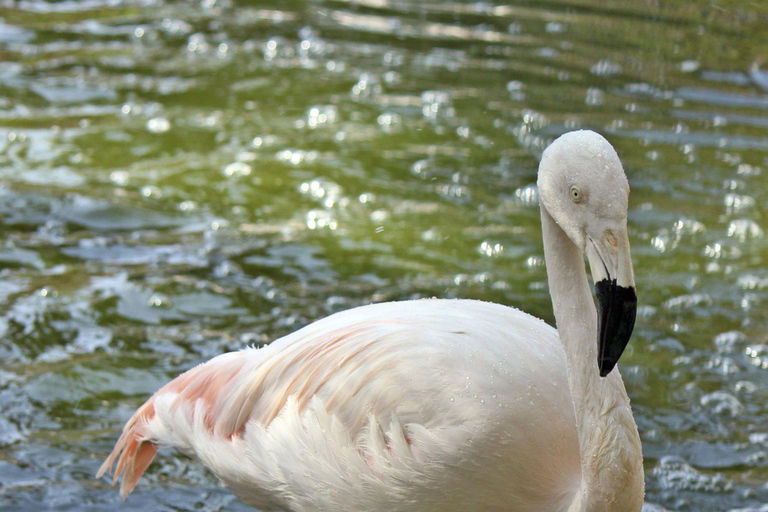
[616, 312]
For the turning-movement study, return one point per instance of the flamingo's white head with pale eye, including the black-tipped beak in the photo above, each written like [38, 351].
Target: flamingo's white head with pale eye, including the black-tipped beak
[583, 187]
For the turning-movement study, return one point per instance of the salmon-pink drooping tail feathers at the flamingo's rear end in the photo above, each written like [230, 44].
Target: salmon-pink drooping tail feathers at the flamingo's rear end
[133, 451]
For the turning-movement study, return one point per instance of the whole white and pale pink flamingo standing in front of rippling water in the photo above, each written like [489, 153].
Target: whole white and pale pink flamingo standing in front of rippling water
[434, 405]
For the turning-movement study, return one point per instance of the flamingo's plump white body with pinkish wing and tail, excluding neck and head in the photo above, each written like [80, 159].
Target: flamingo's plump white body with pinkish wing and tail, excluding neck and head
[404, 406]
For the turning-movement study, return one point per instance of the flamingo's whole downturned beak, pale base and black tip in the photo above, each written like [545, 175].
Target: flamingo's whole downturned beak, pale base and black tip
[611, 265]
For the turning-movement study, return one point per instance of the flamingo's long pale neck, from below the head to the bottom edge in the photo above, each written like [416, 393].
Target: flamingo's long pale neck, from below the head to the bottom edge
[611, 457]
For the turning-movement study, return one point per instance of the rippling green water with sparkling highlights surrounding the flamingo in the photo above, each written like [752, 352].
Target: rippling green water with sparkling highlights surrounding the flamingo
[179, 179]
